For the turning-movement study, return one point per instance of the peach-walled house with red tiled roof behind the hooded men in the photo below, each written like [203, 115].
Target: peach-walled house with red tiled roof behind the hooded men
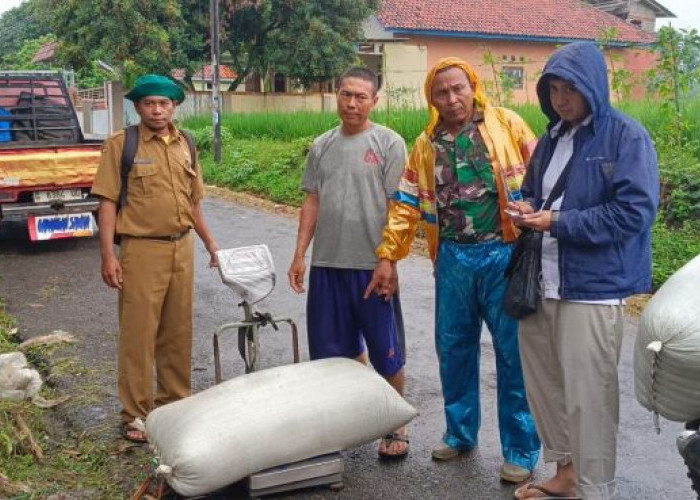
[507, 41]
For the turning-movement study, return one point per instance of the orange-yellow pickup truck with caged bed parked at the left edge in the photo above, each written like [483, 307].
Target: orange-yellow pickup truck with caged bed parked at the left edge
[46, 165]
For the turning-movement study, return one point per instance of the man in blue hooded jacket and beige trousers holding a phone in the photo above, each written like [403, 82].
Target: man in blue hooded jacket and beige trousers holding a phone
[596, 252]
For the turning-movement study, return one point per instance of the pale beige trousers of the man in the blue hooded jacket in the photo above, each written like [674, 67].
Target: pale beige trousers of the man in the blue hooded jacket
[569, 354]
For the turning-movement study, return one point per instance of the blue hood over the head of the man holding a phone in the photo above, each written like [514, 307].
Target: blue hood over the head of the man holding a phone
[583, 65]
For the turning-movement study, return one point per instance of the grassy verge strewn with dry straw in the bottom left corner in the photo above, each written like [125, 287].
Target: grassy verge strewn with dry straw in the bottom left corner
[41, 455]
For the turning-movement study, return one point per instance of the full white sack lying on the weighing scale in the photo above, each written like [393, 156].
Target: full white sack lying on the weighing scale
[270, 418]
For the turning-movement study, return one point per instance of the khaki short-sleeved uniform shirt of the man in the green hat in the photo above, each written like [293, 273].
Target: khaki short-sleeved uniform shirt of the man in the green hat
[163, 185]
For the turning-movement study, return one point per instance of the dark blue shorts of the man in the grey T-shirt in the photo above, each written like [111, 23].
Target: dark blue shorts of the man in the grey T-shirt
[340, 322]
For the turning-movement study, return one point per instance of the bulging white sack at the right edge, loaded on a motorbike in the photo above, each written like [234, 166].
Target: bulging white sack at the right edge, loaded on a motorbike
[667, 350]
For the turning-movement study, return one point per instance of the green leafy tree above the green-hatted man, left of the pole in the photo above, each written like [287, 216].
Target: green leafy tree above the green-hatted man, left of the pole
[135, 36]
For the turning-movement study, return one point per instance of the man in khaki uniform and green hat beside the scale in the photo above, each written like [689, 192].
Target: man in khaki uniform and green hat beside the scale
[154, 270]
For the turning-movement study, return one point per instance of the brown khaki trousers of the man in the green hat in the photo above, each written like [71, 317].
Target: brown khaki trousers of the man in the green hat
[155, 323]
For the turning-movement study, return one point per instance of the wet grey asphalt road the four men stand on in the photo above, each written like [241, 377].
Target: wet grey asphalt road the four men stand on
[56, 285]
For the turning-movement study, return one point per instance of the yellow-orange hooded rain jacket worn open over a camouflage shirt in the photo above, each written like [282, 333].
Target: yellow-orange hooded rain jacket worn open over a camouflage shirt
[510, 143]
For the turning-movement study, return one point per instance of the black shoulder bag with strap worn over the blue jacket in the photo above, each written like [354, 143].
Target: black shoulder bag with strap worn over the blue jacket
[523, 272]
